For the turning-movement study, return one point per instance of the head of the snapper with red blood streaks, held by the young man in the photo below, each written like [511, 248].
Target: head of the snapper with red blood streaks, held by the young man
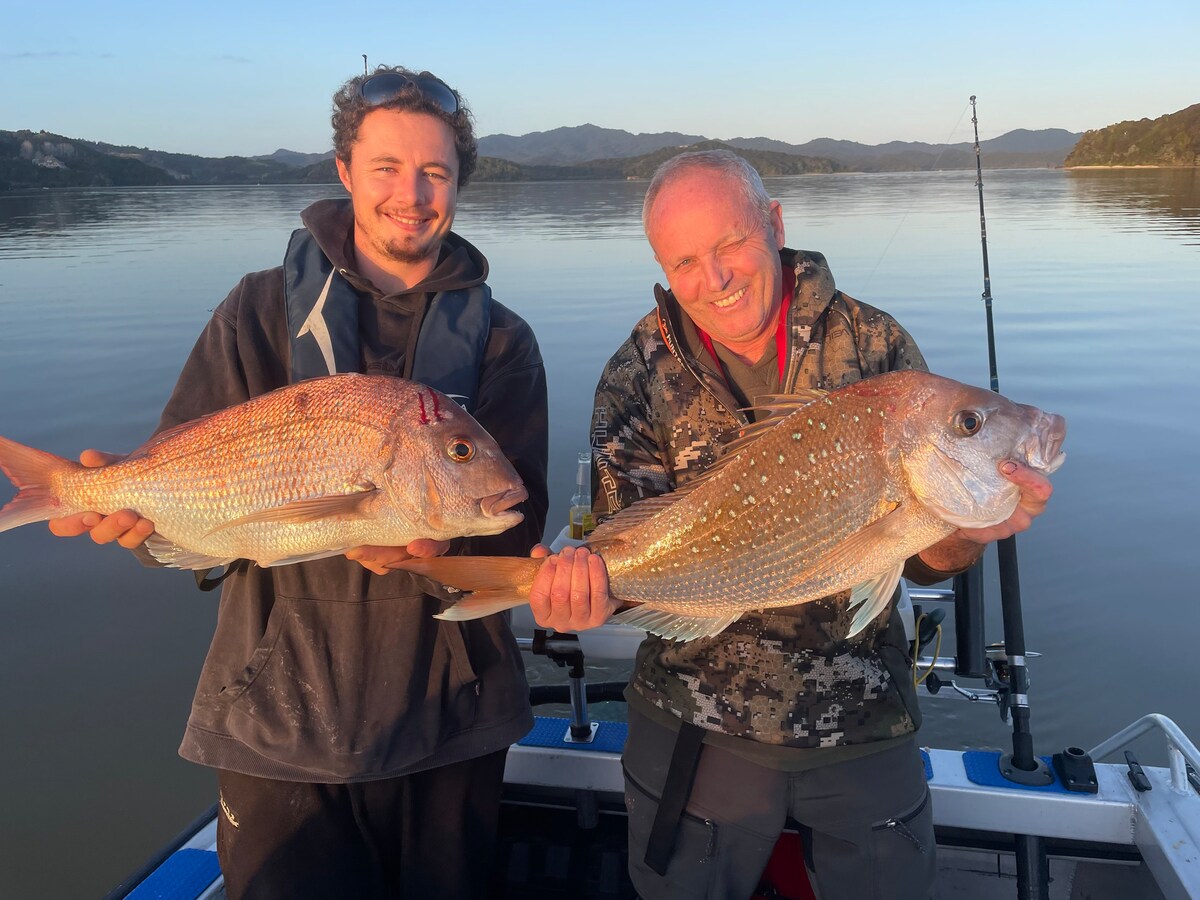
[463, 484]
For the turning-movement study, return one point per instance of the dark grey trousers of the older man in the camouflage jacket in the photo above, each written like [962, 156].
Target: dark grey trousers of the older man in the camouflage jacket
[867, 824]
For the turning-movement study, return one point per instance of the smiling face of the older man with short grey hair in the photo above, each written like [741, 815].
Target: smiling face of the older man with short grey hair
[721, 259]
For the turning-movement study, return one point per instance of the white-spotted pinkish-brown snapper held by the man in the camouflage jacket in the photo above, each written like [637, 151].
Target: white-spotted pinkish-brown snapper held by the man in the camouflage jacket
[832, 496]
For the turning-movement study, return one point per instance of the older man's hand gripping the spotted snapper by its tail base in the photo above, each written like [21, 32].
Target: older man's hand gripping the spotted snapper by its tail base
[571, 592]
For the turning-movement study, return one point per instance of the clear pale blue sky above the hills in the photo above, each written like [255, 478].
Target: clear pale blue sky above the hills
[242, 79]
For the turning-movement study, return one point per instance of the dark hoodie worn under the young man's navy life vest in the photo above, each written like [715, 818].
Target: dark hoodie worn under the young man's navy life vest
[323, 671]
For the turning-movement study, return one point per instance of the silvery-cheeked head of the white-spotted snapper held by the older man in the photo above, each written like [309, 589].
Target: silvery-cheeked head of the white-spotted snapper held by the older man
[951, 441]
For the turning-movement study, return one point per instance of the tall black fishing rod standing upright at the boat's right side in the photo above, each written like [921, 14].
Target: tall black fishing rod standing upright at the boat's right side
[1021, 766]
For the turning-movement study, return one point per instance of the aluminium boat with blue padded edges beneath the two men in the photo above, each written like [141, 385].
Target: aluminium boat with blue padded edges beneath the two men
[1101, 827]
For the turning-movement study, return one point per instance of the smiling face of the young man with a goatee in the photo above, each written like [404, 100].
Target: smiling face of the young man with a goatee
[404, 183]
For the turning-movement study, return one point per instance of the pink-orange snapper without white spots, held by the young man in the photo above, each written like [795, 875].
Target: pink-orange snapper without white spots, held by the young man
[302, 473]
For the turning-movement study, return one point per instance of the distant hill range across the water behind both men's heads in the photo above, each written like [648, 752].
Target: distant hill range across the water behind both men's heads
[32, 160]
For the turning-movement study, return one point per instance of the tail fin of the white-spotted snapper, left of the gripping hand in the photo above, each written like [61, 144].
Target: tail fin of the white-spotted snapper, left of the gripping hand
[497, 584]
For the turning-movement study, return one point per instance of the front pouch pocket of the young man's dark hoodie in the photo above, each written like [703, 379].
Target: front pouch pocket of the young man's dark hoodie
[347, 689]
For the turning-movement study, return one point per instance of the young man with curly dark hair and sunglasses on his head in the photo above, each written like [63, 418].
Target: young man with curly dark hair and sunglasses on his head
[359, 742]
